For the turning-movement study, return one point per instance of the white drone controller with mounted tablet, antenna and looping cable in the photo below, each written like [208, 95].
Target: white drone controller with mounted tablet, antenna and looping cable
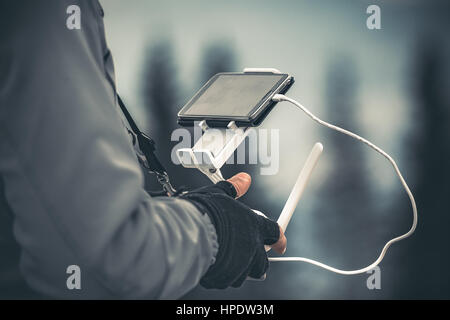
[226, 108]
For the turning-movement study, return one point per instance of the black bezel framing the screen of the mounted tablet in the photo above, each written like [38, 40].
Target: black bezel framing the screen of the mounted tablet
[255, 116]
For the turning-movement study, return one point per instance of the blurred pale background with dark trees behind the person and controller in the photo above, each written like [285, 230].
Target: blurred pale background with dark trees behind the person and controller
[389, 85]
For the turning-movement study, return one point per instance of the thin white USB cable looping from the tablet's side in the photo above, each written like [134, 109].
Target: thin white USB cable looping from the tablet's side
[279, 98]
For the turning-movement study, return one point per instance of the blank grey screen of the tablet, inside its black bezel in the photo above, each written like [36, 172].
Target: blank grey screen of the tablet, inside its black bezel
[233, 95]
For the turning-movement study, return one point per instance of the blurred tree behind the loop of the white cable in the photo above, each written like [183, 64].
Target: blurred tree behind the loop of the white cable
[346, 214]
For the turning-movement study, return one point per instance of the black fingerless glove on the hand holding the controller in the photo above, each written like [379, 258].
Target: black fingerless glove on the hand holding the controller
[241, 234]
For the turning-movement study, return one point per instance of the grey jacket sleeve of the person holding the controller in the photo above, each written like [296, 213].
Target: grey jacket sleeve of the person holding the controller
[71, 176]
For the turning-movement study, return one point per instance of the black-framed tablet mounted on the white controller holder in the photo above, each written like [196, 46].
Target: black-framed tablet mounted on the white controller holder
[245, 98]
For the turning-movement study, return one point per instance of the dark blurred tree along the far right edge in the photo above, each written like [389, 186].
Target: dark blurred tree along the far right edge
[425, 257]
